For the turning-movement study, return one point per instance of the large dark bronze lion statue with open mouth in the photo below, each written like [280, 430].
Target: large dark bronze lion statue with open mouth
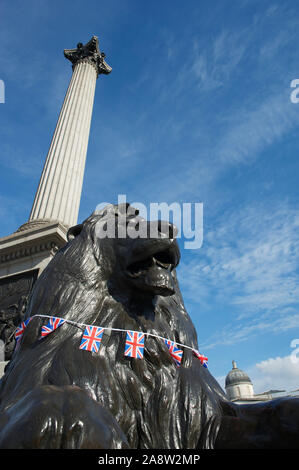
[56, 396]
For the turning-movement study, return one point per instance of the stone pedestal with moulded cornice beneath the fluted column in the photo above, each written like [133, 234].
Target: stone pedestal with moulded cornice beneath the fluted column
[23, 257]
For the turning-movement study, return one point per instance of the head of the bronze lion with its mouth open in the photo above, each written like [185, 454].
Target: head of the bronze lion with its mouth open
[142, 254]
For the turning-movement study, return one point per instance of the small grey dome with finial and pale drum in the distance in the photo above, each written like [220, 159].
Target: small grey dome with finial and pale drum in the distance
[238, 384]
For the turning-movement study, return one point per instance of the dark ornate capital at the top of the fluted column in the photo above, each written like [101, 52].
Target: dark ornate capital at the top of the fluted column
[89, 52]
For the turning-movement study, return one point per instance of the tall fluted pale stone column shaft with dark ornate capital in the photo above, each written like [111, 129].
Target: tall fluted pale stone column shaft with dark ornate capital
[59, 191]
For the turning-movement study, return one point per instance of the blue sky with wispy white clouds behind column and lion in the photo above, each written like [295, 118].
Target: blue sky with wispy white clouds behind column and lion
[197, 109]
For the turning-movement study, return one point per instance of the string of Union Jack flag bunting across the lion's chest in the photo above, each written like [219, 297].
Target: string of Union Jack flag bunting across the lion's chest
[92, 337]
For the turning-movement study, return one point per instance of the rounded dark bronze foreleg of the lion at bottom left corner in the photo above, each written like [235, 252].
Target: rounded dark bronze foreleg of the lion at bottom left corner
[52, 417]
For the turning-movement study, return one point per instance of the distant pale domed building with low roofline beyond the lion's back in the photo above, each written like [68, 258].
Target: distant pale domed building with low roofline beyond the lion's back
[239, 387]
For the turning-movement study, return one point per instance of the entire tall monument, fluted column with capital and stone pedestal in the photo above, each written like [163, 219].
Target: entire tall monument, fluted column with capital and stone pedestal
[25, 253]
